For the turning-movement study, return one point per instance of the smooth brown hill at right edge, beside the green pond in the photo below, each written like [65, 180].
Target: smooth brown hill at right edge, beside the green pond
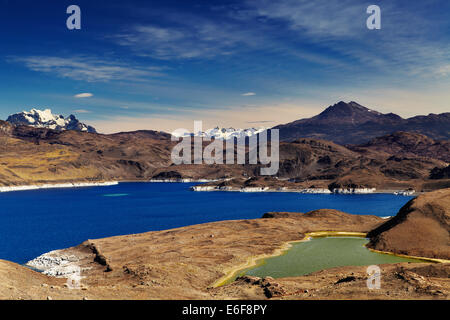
[421, 228]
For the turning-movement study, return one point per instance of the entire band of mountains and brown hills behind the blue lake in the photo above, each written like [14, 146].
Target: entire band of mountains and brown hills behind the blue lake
[393, 161]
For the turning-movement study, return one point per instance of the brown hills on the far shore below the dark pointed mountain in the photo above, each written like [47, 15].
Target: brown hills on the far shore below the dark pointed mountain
[311, 163]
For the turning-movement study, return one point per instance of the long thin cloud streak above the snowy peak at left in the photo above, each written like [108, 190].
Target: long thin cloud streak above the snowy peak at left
[88, 69]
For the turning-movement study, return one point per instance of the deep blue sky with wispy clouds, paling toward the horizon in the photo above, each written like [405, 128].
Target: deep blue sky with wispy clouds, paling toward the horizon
[162, 64]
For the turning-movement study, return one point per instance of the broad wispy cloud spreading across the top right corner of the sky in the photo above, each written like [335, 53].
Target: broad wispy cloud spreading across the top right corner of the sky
[403, 45]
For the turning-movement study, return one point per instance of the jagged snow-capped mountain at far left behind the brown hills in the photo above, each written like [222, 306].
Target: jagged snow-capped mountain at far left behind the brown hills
[46, 119]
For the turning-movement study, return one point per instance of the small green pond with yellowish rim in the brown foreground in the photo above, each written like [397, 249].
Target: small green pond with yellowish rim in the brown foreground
[320, 254]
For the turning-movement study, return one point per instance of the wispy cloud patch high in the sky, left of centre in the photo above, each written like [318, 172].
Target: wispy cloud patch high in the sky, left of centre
[191, 37]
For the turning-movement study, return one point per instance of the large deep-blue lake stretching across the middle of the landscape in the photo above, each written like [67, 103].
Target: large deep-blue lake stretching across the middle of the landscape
[38, 221]
